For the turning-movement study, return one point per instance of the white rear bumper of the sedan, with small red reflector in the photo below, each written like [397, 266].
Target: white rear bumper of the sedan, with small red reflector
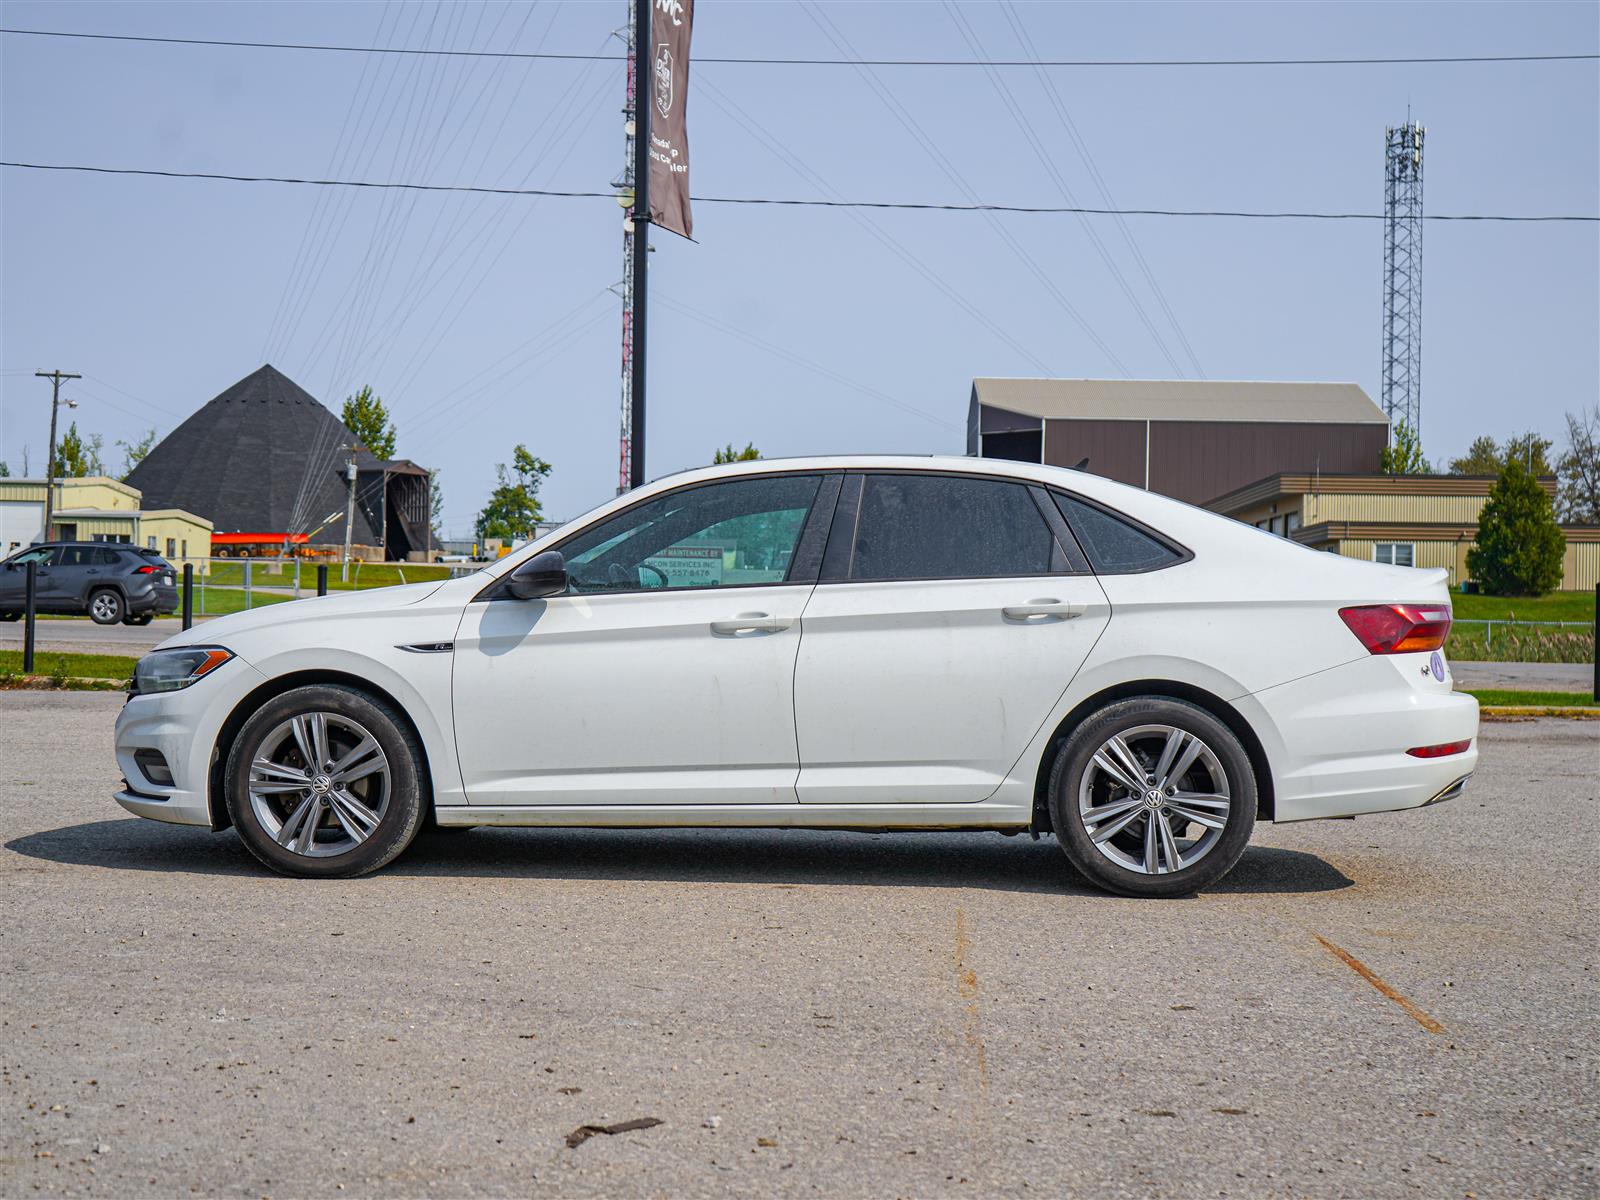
[1338, 740]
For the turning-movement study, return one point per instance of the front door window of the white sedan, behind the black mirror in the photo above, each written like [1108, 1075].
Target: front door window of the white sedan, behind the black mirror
[721, 535]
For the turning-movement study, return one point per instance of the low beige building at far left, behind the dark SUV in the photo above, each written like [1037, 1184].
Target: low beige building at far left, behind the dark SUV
[98, 510]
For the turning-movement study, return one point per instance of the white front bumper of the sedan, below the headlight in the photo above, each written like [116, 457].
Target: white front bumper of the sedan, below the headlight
[183, 727]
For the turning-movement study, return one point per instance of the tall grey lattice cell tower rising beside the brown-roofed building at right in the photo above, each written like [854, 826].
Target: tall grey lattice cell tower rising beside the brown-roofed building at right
[1404, 274]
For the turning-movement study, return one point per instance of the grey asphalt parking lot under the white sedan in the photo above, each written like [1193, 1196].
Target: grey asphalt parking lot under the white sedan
[1401, 1006]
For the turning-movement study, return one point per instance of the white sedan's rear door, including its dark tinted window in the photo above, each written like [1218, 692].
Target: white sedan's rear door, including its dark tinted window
[953, 614]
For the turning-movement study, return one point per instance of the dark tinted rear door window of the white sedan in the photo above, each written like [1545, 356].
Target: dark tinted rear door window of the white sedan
[950, 527]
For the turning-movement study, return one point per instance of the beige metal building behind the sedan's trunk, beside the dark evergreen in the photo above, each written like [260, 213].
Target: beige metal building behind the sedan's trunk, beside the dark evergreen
[1409, 521]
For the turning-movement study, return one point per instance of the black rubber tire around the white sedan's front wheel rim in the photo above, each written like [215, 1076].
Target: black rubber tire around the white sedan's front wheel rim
[407, 807]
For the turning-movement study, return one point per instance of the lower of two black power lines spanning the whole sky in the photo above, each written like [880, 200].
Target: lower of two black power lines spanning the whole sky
[791, 202]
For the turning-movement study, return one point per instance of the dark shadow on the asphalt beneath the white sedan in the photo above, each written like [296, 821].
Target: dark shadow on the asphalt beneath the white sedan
[674, 855]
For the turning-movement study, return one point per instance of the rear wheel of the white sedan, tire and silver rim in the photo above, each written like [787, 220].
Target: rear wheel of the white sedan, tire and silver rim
[1153, 798]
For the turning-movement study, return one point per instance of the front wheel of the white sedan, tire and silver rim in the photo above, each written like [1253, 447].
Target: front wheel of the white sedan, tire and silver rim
[326, 782]
